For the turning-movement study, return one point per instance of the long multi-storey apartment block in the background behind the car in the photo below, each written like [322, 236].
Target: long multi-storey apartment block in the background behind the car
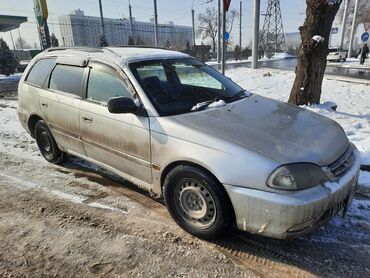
[80, 30]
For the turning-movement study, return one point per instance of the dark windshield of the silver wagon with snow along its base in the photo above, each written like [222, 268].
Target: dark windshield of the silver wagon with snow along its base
[177, 86]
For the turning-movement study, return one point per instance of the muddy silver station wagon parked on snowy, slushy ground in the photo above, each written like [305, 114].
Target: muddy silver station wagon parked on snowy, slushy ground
[219, 155]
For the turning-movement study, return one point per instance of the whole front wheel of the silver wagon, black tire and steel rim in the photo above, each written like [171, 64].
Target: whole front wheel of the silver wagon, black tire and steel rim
[197, 201]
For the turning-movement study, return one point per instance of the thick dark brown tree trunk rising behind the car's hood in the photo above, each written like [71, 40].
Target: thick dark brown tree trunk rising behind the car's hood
[311, 66]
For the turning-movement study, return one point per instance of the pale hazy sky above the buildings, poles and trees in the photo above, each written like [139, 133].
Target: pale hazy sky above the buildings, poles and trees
[293, 13]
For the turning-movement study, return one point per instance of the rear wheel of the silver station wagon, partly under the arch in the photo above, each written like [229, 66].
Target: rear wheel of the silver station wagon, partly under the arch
[47, 144]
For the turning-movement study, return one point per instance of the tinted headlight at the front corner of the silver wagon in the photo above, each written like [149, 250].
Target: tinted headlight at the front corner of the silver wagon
[296, 176]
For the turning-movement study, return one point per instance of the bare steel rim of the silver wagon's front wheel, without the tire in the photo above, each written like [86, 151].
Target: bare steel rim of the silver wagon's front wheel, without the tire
[195, 203]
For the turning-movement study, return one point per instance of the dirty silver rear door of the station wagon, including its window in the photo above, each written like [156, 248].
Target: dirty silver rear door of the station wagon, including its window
[60, 106]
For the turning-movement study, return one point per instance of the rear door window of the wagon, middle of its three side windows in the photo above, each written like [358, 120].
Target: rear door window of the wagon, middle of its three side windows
[67, 79]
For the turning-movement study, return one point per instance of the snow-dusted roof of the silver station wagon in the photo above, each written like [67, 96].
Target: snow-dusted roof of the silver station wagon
[124, 54]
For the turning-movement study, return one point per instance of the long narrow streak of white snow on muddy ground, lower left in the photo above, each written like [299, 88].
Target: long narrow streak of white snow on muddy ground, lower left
[74, 198]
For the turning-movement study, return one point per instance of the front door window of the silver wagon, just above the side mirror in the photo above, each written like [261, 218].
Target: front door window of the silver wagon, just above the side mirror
[105, 84]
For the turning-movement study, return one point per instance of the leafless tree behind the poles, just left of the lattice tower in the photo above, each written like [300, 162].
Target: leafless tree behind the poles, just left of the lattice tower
[207, 24]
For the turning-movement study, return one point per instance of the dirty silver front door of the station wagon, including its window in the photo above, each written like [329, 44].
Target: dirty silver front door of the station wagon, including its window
[121, 141]
